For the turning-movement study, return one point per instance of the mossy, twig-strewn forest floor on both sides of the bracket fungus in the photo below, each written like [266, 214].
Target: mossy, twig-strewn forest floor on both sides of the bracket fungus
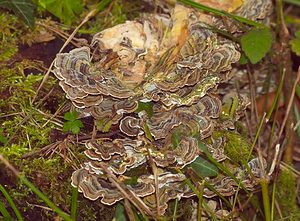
[32, 118]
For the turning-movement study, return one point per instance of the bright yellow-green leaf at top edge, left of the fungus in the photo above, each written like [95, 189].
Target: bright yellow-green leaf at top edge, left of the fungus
[65, 10]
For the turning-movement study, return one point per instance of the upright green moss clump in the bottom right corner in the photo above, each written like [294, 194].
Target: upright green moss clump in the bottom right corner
[286, 195]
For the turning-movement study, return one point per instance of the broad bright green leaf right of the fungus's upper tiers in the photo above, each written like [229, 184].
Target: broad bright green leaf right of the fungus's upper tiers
[256, 43]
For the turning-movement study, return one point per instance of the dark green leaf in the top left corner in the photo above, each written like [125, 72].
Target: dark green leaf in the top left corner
[24, 9]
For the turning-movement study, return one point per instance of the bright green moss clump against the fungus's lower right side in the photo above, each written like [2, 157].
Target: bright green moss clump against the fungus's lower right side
[236, 147]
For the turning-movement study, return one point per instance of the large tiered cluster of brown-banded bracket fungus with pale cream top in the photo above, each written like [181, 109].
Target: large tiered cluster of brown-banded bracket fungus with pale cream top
[175, 62]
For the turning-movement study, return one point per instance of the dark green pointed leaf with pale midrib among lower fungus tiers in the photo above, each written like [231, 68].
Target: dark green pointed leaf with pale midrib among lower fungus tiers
[204, 168]
